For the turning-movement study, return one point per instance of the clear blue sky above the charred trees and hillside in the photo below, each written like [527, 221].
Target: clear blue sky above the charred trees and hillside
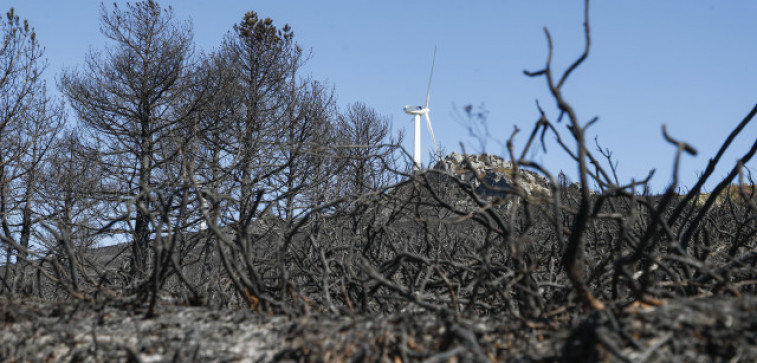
[691, 65]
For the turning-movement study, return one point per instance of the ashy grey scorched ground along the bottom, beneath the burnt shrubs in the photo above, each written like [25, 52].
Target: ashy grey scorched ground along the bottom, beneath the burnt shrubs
[692, 329]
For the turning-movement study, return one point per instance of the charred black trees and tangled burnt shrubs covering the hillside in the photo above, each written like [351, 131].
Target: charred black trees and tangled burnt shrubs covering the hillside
[230, 180]
